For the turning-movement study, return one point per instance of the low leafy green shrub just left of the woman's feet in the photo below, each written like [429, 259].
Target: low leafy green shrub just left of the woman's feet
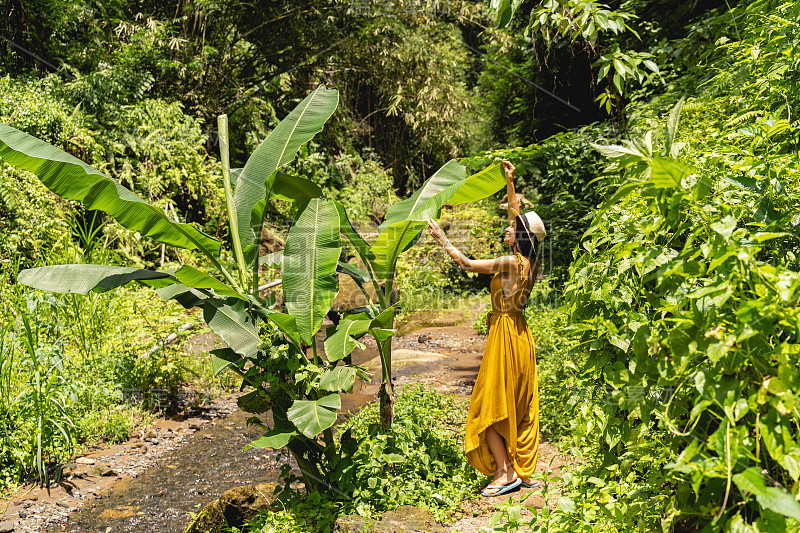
[420, 461]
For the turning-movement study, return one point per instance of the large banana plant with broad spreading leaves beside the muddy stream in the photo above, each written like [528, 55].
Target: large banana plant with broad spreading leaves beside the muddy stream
[299, 386]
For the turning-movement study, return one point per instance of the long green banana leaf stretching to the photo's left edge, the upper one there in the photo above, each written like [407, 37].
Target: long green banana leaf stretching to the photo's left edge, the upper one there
[71, 178]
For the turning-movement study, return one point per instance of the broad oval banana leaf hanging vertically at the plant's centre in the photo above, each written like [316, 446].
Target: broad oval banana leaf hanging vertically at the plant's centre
[309, 266]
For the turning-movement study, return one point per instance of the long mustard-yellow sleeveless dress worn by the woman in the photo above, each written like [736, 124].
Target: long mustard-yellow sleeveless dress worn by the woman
[506, 393]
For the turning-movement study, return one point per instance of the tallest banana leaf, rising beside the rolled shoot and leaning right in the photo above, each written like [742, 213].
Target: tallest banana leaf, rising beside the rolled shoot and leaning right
[280, 146]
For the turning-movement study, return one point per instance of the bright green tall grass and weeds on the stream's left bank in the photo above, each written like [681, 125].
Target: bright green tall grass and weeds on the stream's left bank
[65, 364]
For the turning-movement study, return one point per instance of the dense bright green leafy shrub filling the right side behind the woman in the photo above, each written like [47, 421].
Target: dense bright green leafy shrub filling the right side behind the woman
[686, 300]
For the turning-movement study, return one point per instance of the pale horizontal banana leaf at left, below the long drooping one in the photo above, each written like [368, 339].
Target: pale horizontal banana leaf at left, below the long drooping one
[84, 278]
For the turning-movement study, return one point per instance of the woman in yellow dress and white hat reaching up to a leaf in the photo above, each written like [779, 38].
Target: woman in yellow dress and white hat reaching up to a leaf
[502, 436]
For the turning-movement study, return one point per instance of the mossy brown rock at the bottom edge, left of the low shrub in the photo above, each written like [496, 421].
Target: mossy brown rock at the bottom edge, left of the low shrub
[233, 509]
